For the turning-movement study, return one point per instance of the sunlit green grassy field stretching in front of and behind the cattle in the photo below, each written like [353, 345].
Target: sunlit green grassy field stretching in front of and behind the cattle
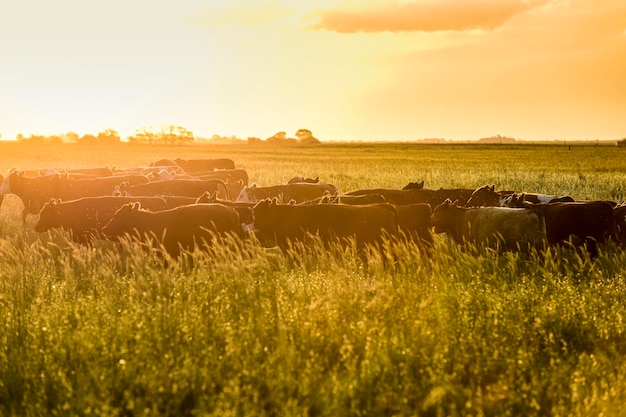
[244, 331]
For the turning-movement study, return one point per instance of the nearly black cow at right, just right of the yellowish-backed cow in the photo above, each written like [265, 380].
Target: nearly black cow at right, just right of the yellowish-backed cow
[582, 223]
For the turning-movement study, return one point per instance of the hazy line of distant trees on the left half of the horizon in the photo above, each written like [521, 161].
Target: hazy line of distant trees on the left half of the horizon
[167, 135]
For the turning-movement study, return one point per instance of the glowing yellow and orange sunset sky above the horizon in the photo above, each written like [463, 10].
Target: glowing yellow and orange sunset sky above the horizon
[354, 70]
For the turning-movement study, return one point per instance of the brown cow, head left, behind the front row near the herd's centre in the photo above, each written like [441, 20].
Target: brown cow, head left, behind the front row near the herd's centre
[299, 192]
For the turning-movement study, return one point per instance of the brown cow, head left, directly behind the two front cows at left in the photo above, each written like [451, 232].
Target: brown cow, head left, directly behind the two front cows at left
[185, 188]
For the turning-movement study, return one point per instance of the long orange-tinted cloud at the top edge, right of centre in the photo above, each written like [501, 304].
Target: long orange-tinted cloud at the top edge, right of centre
[425, 15]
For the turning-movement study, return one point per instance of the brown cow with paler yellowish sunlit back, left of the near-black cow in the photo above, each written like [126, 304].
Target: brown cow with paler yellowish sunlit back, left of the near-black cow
[507, 228]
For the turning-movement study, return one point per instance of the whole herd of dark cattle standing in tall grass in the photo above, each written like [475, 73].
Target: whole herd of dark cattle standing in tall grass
[181, 204]
